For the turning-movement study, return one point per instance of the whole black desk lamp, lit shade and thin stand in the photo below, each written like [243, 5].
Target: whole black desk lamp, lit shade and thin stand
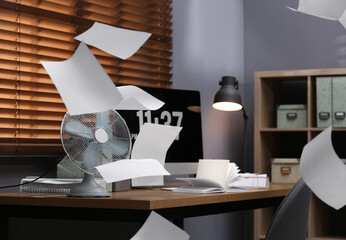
[228, 99]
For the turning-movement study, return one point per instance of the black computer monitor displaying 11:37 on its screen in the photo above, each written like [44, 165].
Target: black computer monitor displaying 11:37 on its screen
[181, 108]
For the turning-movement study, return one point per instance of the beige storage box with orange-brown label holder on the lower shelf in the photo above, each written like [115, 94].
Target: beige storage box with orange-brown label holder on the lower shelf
[285, 170]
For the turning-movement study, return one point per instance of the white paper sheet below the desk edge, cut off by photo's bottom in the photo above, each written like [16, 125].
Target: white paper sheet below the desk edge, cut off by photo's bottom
[157, 227]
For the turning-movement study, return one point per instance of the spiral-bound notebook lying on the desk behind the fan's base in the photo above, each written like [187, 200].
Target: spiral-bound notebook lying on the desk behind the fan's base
[51, 185]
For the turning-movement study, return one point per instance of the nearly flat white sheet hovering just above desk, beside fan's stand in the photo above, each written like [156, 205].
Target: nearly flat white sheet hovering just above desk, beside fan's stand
[130, 168]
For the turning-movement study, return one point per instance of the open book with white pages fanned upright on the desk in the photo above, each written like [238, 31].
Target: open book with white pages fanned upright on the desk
[213, 176]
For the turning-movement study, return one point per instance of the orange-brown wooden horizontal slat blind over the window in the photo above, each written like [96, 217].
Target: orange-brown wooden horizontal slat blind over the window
[32, 31]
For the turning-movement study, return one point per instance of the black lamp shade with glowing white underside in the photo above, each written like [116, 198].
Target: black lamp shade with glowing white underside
[228, 97]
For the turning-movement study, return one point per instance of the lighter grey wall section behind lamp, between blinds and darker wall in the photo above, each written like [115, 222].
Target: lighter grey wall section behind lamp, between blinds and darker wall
[208, 44]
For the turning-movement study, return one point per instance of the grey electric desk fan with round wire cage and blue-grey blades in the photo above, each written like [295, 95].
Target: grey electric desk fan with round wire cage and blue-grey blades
[91, 140]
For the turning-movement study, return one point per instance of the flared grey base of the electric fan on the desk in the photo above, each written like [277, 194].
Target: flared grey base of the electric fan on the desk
[88, 188]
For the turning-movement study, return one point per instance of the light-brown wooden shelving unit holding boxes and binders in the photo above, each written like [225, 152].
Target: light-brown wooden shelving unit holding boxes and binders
[273, 88]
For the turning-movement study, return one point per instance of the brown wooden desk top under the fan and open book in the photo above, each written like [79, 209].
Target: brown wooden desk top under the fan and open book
[143, 199]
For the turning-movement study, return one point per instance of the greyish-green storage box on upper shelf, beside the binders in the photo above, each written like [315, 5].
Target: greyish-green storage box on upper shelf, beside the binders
[292, 116]
